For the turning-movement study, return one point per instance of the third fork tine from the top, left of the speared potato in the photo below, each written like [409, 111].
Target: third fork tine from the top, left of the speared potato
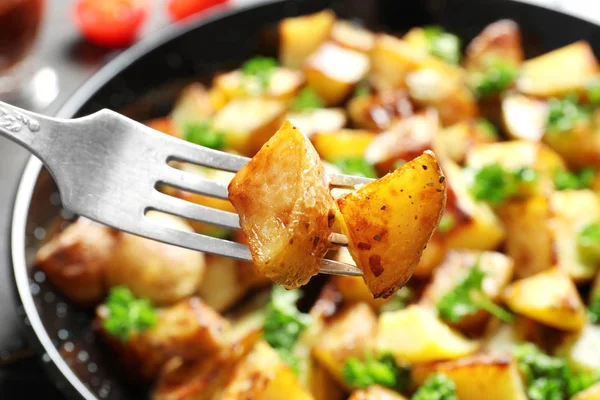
[197, 212]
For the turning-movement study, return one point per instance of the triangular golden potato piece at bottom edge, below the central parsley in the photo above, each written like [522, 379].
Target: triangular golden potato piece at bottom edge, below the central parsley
[261, 375]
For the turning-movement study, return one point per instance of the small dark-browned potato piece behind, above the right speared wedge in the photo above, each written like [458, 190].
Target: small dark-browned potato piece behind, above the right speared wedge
[378, 111]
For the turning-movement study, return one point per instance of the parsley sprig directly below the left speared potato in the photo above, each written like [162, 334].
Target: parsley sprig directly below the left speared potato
[284, 323]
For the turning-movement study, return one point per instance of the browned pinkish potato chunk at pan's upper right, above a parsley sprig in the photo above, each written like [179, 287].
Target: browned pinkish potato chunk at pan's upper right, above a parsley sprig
[500, 39]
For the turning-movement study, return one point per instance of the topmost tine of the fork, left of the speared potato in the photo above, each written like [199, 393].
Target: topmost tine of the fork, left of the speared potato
[181, 150]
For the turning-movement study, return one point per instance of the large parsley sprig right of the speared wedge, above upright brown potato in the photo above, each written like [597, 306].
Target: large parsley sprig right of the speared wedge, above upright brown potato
[495, 185]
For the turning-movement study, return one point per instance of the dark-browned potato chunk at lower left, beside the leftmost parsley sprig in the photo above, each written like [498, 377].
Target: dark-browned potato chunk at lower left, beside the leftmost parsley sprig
[189, 329]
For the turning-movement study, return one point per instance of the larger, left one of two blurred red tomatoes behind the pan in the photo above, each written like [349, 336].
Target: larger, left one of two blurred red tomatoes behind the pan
[110, 23]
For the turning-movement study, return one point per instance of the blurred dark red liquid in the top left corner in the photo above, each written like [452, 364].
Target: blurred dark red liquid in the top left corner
[19, 23]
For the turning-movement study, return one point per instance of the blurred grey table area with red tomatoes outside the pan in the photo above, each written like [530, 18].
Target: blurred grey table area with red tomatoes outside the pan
[48, 48]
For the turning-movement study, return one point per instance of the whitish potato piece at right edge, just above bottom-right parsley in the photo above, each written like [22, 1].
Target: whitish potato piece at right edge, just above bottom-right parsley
[582, 349]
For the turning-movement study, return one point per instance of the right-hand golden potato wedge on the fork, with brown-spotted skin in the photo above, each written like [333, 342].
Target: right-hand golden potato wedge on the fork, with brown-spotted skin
[388, 222]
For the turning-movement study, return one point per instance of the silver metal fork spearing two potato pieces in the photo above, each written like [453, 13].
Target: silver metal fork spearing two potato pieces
[107, 168]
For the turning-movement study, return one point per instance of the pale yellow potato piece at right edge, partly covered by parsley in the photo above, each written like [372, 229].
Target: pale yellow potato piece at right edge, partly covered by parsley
[567, 219]
